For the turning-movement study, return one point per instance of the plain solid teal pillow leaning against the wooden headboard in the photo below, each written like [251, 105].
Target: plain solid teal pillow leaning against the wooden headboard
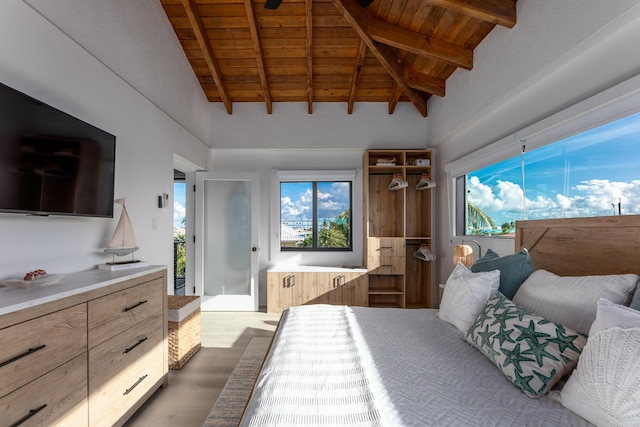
[514, 269]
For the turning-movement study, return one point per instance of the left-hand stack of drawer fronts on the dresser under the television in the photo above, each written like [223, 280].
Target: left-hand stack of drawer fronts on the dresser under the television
[43, 369]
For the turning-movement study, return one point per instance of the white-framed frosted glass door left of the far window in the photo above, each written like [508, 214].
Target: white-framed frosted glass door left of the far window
[227, 207]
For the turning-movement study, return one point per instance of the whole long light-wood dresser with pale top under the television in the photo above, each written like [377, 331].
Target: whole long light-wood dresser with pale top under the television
[90, 357]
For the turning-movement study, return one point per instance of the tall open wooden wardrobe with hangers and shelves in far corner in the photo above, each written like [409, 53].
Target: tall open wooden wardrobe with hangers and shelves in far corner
[398, 211]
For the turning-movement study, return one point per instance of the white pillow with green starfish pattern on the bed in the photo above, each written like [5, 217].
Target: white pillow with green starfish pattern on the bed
[532, 352]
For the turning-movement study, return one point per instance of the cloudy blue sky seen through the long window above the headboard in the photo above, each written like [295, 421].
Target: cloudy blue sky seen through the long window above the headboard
[582, 175]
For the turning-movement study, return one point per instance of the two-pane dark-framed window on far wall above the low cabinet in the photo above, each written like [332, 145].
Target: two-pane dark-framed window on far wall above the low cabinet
[315, 215]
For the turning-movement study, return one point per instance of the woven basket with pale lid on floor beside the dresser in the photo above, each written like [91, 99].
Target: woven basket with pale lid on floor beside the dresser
[184, 334]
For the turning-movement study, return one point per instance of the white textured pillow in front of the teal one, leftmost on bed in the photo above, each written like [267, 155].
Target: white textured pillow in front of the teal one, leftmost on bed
[465, 295]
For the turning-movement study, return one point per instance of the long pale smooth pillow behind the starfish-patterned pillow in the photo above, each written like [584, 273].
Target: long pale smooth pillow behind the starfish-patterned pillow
[571, 301]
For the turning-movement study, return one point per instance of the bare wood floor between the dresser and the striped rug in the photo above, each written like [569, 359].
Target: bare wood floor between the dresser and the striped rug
[194, 389]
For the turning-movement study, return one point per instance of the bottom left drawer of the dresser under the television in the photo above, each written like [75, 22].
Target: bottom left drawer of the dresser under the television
[58, 398]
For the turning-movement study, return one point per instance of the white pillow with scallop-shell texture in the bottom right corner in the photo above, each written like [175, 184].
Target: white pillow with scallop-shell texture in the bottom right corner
[605, 387]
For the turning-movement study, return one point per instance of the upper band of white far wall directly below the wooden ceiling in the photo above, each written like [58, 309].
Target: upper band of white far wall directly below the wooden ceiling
[329, 127]
